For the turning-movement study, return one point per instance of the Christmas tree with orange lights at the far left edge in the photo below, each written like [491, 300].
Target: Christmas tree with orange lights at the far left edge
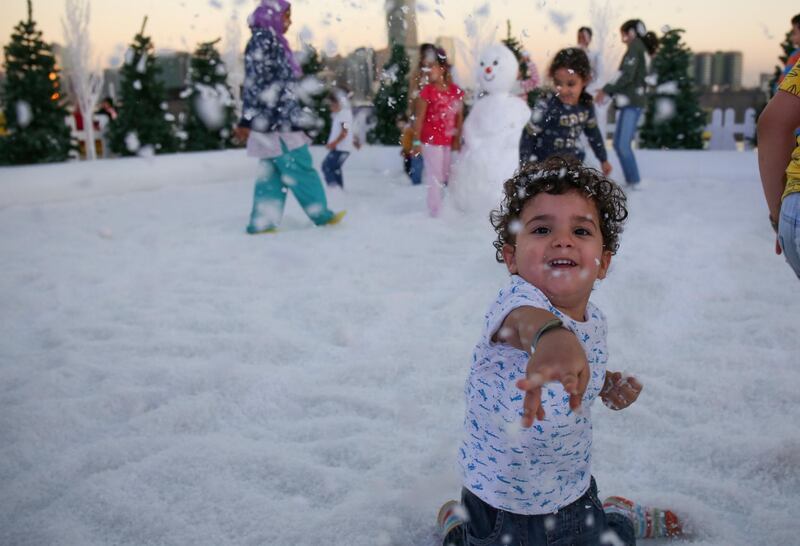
[33, 100]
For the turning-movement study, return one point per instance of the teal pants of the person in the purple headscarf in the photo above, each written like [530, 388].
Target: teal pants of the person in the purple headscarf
[294, 170]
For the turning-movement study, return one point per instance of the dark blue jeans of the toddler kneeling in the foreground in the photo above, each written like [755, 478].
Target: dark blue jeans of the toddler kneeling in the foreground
[582, 523]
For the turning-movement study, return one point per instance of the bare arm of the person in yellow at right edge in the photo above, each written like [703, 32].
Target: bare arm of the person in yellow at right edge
[776, 140]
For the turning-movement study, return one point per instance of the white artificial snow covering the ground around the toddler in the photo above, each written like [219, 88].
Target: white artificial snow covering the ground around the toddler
[166, 379]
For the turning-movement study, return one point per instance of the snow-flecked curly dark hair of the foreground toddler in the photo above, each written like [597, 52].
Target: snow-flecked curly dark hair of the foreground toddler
[558, 175]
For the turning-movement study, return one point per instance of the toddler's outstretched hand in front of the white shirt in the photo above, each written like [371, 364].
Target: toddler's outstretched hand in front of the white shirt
[558, 357]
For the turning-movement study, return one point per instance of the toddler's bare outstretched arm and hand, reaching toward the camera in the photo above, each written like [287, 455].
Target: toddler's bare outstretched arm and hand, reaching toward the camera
[559, 356]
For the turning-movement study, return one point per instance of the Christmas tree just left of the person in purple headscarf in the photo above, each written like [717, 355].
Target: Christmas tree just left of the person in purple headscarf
[209, 122]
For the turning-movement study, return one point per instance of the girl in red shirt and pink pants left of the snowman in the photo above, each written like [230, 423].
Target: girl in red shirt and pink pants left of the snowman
[439, 117]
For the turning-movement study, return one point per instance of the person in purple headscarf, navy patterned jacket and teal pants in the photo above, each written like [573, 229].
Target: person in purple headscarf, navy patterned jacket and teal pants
[273, 123]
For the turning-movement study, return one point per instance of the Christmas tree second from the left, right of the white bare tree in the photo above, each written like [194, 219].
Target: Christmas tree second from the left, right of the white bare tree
[143, 123]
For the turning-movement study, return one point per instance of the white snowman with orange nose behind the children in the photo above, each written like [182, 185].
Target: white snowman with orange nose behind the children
[492, 132]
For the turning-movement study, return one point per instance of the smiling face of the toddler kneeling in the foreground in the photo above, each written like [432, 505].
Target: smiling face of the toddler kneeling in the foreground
[559, 249]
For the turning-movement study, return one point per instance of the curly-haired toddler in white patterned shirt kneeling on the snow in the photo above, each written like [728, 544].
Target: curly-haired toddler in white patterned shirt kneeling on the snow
[525, 453]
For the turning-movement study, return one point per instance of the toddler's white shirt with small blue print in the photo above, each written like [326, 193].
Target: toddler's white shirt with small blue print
[548, 466]
